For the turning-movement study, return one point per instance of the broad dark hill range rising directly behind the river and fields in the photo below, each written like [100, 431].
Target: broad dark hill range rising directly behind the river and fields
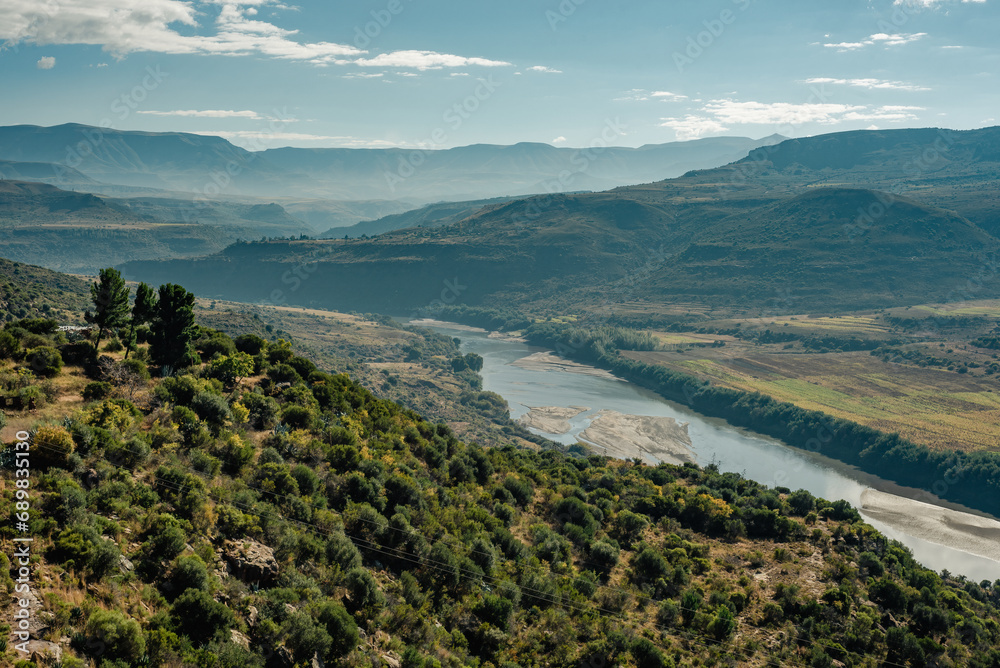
[731, 237]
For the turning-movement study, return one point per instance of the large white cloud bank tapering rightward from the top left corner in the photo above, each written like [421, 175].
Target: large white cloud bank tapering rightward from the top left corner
[122, 27]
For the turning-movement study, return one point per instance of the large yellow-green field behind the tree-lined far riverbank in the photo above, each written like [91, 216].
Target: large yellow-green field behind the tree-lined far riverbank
[936, 407]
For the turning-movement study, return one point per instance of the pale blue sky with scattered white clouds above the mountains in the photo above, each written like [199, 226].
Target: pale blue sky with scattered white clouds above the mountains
[444, 73]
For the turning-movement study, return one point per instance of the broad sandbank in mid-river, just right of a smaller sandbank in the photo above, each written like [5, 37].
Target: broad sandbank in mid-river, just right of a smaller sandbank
[626, 436]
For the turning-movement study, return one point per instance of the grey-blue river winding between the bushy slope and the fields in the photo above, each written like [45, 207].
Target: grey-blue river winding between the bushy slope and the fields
[712, 440]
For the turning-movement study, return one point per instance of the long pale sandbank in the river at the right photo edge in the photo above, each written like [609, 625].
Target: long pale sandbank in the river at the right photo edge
[962, 531]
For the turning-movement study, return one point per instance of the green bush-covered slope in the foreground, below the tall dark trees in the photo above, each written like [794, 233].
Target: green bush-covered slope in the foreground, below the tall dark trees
[293, 517]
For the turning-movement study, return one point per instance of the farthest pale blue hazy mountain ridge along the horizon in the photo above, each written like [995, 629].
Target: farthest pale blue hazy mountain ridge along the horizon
[212, 166]
